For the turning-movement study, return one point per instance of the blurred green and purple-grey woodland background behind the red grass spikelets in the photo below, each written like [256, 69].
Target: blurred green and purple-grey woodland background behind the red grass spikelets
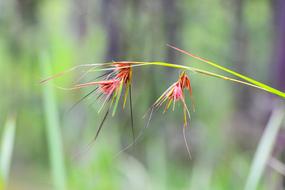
[42, 37]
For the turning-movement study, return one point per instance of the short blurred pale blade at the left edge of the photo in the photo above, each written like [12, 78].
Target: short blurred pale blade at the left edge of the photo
[6, 150]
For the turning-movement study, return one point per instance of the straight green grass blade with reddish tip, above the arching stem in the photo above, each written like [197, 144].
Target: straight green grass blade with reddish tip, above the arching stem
[251, 80]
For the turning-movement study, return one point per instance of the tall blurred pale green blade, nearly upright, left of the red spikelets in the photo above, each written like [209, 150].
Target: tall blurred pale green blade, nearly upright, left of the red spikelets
[55, 146]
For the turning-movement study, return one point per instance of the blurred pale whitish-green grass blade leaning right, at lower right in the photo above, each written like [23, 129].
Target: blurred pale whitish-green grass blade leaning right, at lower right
[264, 148]
